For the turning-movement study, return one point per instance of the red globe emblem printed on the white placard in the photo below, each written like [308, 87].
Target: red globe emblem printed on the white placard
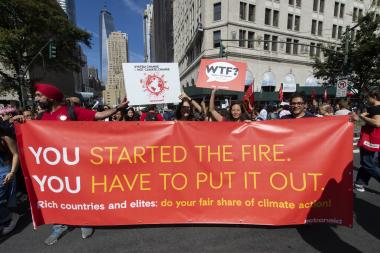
[154, 86]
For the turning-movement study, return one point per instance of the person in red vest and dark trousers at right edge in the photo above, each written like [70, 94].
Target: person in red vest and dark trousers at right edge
[369, 142]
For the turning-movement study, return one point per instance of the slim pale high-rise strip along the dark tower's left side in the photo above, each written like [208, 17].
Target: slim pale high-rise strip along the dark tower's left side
[148, 34]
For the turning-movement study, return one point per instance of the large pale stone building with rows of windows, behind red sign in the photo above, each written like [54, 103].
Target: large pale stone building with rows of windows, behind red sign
[284, 36]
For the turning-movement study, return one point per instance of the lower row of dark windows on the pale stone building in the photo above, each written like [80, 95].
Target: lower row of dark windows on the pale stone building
[270, 43]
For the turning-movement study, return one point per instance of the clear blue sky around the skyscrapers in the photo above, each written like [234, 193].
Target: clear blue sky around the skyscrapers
[128, 18]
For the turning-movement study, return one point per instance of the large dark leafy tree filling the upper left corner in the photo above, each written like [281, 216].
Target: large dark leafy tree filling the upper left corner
[26, 28]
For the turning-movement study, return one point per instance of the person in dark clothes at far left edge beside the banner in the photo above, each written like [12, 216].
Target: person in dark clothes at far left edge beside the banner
[8, 167]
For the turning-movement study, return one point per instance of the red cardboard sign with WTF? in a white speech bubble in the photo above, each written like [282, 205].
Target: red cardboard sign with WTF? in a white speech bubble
[222, 74]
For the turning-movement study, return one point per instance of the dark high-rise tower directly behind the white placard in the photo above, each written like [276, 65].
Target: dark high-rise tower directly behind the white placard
[163, 30]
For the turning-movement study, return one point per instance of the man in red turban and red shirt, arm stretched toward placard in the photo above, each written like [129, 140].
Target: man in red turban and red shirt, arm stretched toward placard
[50, 98]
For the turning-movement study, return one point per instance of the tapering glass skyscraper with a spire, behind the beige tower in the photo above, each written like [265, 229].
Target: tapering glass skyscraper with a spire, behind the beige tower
[106, 26]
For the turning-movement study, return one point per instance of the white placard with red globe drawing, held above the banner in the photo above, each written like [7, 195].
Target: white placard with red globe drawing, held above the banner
[151, 83]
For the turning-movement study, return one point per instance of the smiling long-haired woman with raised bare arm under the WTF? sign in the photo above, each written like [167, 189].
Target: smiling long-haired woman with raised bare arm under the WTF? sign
[236, 111]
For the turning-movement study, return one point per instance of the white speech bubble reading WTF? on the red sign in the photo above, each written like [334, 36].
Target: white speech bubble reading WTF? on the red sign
[221, 72]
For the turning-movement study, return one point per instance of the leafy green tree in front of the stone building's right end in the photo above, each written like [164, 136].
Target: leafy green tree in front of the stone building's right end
[357, 56]
